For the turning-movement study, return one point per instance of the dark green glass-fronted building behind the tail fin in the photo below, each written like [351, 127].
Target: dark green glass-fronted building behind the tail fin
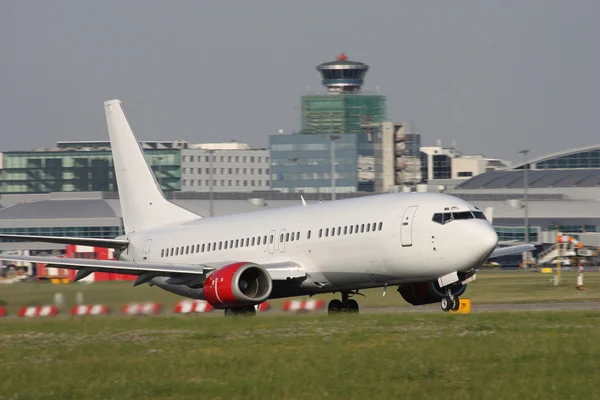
[70, 171]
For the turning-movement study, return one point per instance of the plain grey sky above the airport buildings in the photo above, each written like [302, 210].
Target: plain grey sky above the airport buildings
[495, 76]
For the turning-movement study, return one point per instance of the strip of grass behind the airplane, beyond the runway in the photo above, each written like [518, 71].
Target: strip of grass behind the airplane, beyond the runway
[490, 287]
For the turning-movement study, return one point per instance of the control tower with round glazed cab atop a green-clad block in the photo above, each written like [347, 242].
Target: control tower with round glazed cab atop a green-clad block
[344, 108]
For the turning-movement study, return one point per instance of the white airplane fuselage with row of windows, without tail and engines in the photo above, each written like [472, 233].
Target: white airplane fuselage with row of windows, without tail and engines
[343, 245]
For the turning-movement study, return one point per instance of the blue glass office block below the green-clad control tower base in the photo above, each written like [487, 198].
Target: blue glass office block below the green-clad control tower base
[302, 163]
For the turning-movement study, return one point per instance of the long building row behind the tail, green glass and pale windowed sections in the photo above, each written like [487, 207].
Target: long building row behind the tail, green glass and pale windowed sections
[177, 165]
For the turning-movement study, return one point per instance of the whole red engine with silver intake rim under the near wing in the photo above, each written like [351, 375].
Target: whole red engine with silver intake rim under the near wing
[236, 285]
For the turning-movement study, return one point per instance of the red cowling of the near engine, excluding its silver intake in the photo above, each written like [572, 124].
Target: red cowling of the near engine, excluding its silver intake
[218, 287]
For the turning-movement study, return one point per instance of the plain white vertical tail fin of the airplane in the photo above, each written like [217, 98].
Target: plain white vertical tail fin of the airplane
[143, 204]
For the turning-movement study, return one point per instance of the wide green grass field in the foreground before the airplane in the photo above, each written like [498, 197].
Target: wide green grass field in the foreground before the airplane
[410, 356]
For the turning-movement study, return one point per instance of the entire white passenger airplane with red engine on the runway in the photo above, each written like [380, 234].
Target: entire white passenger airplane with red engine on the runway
[429, 245]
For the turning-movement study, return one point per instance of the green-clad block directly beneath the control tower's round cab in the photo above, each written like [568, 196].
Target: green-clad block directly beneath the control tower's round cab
[338, 113]
